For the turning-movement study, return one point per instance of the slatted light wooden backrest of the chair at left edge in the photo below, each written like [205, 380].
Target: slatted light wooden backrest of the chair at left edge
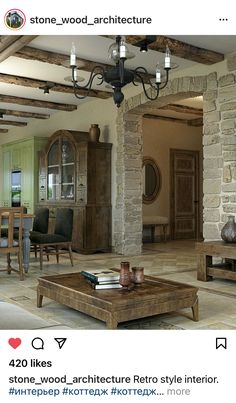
[11, 218]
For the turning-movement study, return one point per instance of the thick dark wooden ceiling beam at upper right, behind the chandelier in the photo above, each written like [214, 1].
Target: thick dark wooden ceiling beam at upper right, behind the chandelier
[179, 49]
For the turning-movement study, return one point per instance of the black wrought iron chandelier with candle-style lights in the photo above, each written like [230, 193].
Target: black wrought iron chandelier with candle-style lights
[118, 76]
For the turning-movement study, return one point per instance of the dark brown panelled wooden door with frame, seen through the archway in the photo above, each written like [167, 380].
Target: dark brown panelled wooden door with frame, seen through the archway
[184, 194]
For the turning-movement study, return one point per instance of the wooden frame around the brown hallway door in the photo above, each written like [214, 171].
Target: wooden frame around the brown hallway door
[196, 154]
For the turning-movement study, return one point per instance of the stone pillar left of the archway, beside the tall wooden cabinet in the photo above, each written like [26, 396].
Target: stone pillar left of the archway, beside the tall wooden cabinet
[128, 212]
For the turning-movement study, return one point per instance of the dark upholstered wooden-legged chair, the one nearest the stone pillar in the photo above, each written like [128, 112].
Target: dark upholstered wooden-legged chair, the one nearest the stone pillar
[60, 241]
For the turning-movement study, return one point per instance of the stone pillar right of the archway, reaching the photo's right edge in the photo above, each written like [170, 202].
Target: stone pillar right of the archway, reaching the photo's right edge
[219, 151]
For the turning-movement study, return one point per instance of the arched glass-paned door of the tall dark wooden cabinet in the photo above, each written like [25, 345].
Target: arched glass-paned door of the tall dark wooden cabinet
[61, 171]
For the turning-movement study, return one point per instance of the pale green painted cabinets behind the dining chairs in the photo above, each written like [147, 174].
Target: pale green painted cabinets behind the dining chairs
[21, 156]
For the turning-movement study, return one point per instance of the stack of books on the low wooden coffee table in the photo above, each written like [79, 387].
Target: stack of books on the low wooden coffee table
[101, 279]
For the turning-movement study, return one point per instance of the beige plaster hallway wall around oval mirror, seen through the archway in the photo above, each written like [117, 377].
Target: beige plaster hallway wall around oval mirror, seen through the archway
[158, 137]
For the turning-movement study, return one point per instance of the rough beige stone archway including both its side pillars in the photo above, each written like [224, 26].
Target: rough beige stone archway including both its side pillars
[219, 152]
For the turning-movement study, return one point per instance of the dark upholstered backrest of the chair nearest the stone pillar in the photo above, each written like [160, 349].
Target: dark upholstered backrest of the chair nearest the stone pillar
[64, 222]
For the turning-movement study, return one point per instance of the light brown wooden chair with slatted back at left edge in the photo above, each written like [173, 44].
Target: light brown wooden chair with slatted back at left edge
[10, 218]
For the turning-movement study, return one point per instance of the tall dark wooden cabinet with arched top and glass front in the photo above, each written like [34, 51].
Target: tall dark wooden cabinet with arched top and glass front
[76, 173]
